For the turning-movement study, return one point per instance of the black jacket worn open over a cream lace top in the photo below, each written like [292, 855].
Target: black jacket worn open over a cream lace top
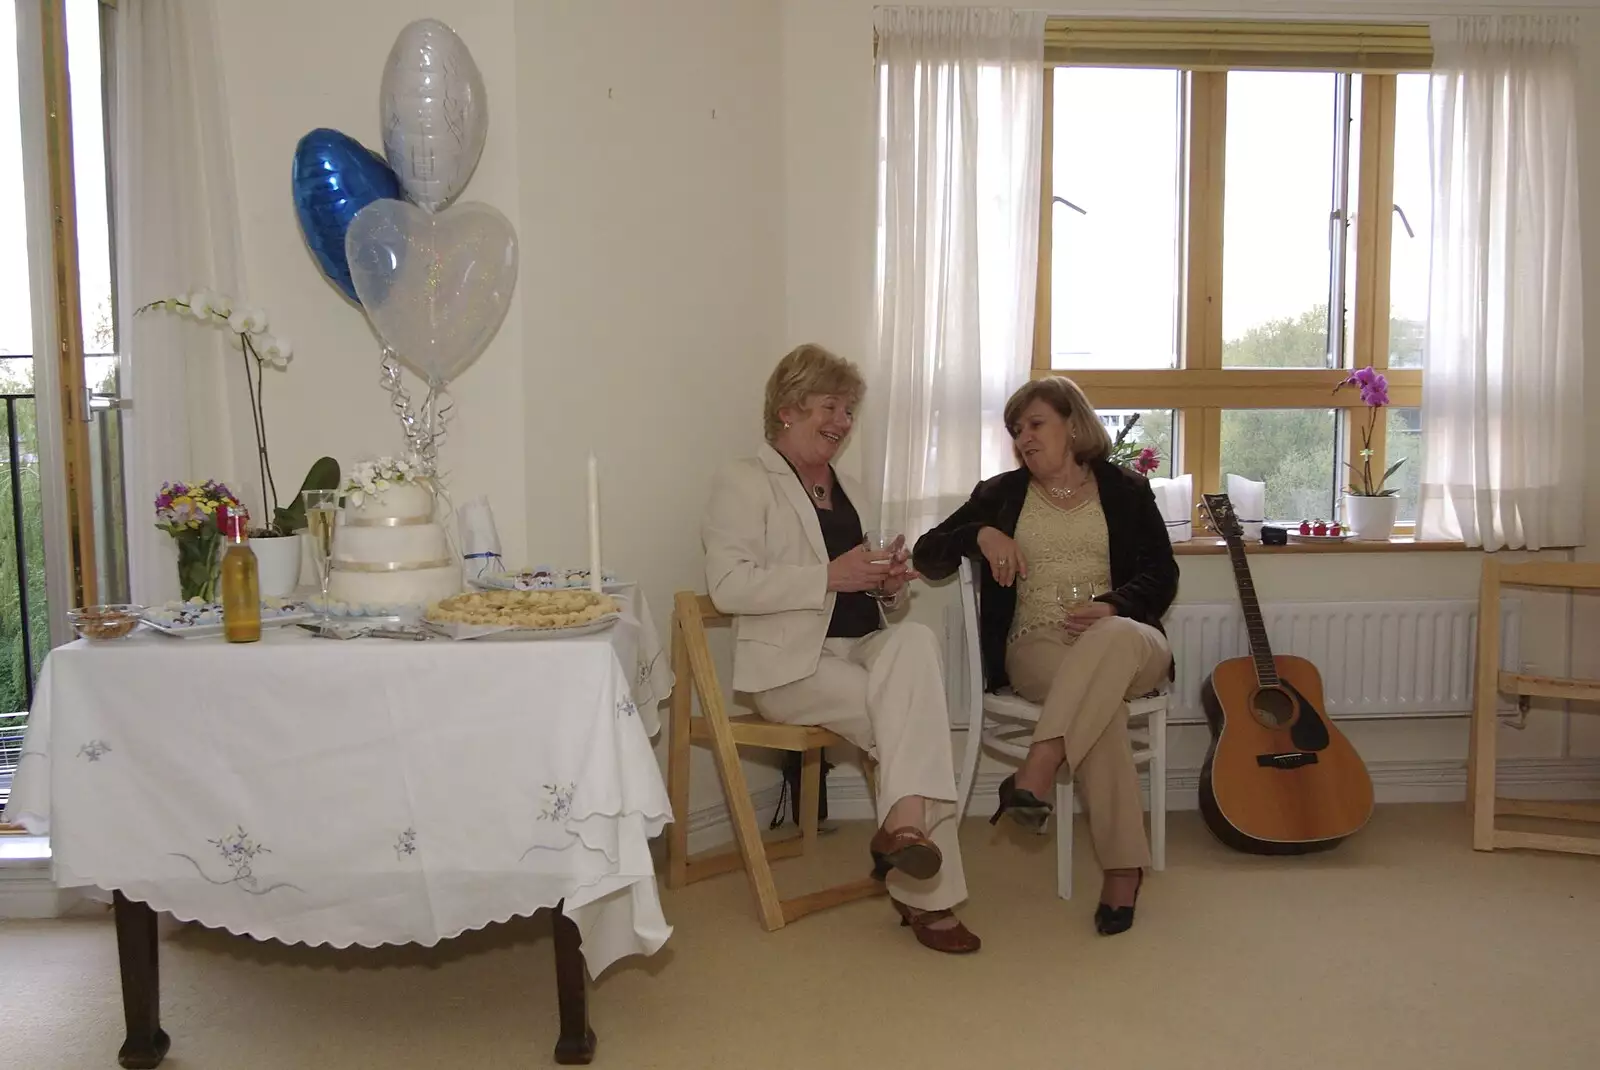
[1143, 569]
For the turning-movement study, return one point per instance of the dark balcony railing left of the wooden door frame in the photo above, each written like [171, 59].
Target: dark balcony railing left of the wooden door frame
[25, 620]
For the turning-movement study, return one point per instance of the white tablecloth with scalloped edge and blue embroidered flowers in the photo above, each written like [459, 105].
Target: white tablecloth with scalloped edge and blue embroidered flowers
[362, 791]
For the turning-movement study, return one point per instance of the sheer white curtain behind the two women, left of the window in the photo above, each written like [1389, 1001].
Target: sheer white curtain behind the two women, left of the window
[961, 105]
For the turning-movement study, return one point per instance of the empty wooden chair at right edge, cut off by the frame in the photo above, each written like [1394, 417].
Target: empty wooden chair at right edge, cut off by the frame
[1492, 682]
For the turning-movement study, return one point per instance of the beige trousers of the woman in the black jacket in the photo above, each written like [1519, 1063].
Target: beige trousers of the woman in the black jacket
[1084, 689]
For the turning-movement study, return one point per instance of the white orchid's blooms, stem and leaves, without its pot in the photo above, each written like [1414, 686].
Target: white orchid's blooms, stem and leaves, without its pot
[247, 332]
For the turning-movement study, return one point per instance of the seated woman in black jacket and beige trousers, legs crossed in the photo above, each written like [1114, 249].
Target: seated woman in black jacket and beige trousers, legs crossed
[1078, 575]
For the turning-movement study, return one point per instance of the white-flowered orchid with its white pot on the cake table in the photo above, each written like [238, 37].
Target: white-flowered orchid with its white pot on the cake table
[278, 543]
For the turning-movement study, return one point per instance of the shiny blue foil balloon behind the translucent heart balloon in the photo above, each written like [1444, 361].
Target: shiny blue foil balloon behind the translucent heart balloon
[337, 177]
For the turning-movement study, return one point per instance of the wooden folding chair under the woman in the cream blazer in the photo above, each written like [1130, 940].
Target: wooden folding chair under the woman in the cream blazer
[697, 674]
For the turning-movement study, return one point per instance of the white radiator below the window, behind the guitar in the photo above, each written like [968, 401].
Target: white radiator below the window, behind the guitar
[1390, 658]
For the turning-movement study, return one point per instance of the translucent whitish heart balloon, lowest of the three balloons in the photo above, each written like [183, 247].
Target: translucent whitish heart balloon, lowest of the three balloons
[436, 287]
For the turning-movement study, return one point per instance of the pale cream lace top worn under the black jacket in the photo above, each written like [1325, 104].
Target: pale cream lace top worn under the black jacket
[1068, 562]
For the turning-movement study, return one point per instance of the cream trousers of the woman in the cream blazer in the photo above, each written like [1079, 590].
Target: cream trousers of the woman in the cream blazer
[886, 693]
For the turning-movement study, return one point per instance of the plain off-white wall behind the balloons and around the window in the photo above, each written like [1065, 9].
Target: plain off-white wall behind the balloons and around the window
[692, 188]
